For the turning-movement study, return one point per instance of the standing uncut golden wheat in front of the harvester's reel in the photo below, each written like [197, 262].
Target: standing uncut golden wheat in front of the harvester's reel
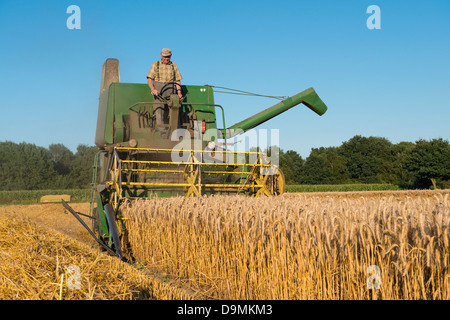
[366, 245]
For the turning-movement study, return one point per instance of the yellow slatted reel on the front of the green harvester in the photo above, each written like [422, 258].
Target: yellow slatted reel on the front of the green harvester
[256, 182]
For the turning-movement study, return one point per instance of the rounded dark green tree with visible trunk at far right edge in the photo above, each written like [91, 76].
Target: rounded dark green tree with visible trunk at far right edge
[430, 160]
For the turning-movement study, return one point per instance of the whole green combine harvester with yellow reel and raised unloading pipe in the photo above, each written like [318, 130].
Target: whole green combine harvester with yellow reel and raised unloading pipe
[139, 158]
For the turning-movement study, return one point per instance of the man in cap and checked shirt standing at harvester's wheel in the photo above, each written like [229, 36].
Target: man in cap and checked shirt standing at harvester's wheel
[164, 80]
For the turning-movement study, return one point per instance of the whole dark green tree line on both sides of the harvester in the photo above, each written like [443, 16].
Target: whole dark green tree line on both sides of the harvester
[423, 164]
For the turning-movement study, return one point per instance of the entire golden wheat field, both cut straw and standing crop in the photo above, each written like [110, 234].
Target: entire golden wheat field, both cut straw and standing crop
[337, 245]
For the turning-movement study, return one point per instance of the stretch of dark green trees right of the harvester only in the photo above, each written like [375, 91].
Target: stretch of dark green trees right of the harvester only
[423, 164]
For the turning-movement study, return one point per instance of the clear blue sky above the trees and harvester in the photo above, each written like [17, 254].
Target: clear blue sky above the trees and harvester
[393, 82]
